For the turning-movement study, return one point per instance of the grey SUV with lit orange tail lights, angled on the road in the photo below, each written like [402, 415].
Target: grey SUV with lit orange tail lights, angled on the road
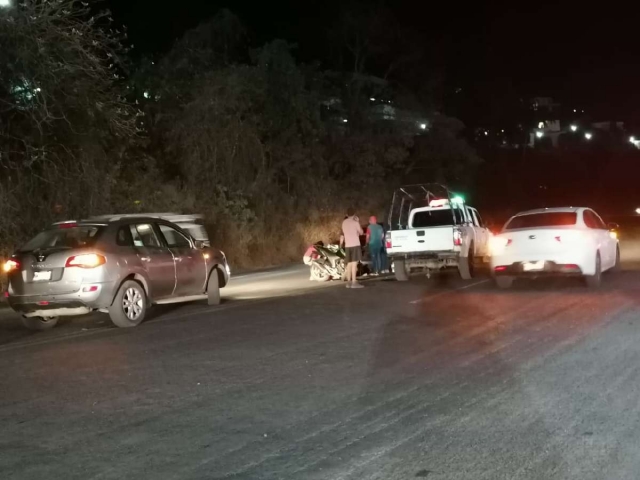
[119, 265]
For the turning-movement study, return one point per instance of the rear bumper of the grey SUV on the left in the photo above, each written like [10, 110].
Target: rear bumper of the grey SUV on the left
[77, 303]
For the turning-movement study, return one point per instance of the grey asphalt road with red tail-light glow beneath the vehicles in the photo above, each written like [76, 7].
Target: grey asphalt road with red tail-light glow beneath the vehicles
[436, 378]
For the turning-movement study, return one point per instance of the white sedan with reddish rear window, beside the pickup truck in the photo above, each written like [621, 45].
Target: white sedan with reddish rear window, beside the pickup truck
[554, 241]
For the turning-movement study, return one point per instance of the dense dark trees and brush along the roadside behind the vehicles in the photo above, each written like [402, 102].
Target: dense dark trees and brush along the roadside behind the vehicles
[270, 150]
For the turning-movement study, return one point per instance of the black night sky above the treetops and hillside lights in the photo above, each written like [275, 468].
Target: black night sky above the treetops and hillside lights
[587, 56]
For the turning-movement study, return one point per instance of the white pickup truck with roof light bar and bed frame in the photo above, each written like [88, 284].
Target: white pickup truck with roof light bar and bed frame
[434, 232]
